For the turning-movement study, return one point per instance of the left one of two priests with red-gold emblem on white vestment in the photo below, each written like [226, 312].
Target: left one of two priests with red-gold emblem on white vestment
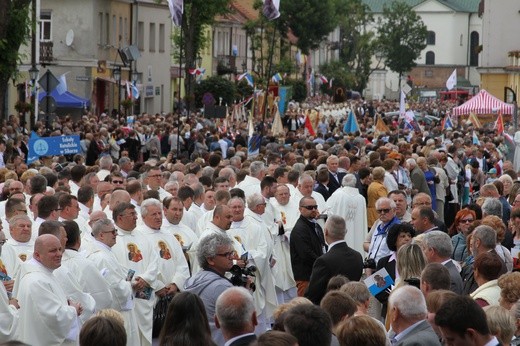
[136, 252]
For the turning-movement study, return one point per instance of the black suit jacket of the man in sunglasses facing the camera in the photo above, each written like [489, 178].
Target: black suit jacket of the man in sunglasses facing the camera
[305, 247]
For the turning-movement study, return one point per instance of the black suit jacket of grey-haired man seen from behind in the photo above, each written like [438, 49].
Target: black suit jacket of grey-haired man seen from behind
[341, 259]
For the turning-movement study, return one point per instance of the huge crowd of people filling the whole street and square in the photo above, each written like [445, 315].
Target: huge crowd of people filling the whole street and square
[169, 230]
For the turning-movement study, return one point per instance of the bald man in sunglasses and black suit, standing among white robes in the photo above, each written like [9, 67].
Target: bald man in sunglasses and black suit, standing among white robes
[307, 243]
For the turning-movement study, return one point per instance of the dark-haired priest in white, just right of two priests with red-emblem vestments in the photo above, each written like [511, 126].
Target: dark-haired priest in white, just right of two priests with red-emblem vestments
[173, 211]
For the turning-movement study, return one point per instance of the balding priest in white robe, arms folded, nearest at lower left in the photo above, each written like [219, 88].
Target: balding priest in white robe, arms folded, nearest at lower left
[46, 316]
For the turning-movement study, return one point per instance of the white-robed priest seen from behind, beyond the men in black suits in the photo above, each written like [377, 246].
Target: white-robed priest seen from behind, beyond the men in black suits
[348, 203]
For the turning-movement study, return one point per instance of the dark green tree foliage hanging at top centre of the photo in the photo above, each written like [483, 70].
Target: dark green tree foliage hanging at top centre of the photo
[309, 20]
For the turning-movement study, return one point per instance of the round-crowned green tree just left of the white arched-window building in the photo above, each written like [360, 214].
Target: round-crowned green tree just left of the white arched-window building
[402, 37]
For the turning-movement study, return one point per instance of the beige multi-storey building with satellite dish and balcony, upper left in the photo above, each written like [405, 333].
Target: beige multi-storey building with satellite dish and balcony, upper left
[81, 38]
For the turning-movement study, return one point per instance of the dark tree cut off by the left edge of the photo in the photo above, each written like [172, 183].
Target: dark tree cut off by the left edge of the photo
[14, 31]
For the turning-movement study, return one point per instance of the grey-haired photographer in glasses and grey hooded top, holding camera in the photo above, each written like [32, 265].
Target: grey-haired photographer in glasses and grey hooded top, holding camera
[215, 256]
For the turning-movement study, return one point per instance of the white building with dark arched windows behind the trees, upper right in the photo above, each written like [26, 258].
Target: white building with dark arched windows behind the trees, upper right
[454, 36]
